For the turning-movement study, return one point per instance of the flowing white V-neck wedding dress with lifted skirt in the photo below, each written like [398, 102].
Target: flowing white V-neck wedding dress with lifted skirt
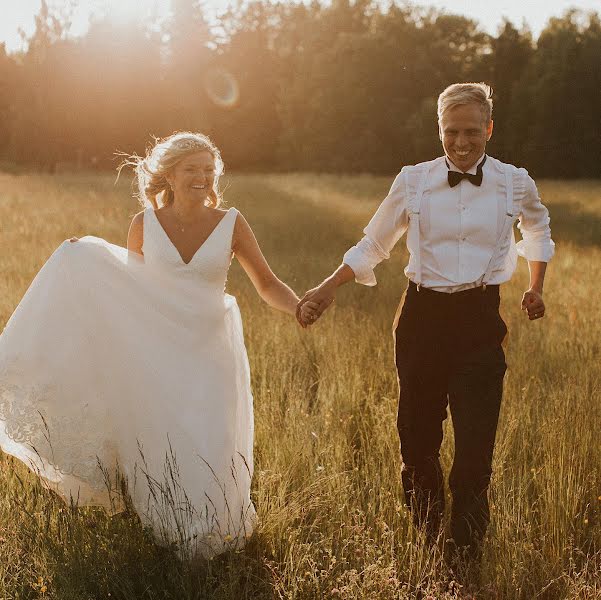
[114, 359]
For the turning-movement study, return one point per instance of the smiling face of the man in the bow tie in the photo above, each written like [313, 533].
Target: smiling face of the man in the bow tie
[464, 132]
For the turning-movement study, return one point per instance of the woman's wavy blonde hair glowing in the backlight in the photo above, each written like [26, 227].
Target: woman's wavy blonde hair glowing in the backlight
[152, 170]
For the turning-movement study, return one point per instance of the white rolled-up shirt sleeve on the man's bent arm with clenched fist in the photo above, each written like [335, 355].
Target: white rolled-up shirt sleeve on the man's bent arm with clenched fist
[536, 243]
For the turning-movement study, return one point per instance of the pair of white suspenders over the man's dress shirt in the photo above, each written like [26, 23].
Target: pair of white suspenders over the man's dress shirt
[413, 234]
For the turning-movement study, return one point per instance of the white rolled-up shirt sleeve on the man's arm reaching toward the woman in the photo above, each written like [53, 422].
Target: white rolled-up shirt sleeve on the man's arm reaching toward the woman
[387, 225]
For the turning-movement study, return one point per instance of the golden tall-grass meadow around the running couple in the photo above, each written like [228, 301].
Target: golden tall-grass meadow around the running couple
[332, 523]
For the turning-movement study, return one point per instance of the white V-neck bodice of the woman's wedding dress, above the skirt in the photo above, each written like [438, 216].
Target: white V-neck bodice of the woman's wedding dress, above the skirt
[211, 260]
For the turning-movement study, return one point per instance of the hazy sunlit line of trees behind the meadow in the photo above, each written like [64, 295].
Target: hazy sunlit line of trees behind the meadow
[350, 86]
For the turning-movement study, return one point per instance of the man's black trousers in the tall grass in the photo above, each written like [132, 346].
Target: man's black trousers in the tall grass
[448, 352]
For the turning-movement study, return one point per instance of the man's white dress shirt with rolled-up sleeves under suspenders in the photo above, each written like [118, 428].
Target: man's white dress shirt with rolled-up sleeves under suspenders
[459, 227]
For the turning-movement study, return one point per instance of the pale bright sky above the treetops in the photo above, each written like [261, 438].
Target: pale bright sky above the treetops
[17, 14]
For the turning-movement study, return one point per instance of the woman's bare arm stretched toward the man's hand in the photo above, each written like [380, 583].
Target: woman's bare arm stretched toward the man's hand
[271, 289]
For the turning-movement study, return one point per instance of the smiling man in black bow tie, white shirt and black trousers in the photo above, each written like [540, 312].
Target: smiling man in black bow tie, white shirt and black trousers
[458, 211]
